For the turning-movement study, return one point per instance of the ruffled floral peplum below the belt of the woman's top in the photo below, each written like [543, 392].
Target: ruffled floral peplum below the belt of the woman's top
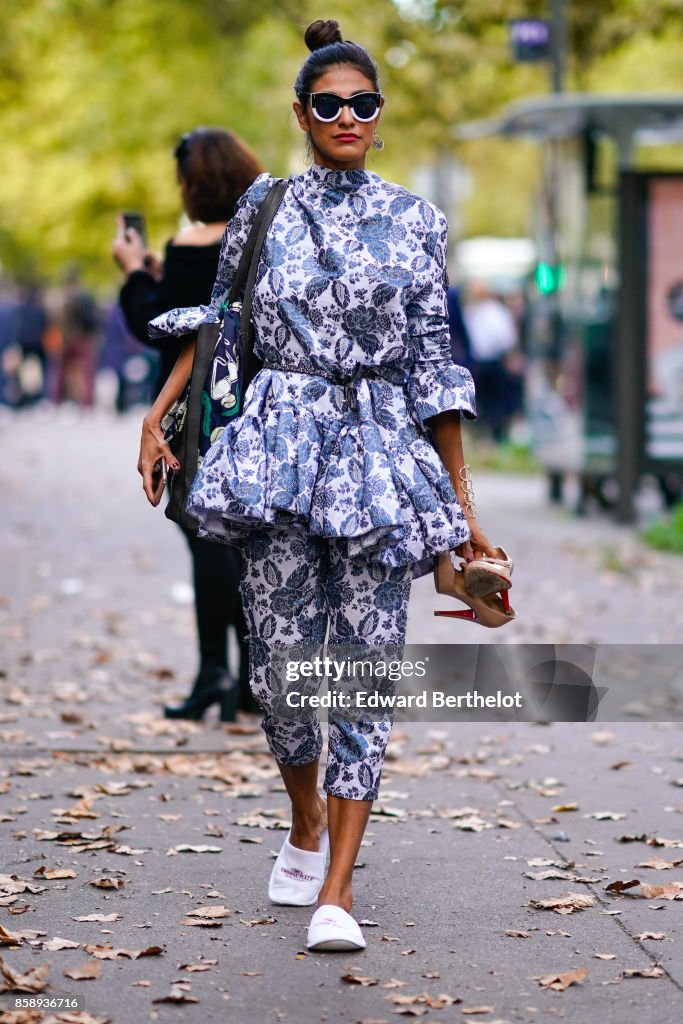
[298, 457]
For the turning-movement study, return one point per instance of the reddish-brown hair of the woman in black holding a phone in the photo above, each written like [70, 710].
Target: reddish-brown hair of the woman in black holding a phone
[217, 169]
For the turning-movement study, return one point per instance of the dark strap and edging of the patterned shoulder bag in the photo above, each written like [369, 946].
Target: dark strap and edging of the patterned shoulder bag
[208, 334]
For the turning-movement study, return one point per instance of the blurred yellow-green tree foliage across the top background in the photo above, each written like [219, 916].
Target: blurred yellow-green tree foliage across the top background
[95, 95]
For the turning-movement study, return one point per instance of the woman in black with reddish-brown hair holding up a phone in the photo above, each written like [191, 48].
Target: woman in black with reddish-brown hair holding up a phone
[214, 169]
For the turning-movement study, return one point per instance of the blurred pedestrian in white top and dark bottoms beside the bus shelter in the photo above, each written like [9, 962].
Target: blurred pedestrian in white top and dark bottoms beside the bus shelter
[493, 334]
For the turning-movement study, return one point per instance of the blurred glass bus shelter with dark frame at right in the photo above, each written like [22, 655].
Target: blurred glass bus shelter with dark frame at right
[605, 379]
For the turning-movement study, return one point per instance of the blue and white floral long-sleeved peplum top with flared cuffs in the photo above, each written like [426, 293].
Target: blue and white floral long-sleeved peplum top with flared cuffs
[352, 325]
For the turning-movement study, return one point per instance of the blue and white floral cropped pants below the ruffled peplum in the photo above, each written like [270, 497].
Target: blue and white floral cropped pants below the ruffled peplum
[294, 588]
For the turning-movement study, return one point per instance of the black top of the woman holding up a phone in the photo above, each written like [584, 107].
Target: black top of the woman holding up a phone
[189, 276]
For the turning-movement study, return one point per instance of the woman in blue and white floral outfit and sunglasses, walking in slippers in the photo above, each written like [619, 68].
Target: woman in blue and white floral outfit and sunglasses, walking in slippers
[343, 478]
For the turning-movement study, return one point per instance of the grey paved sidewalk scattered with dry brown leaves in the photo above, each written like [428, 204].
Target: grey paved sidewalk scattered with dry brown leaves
[97, 632]
